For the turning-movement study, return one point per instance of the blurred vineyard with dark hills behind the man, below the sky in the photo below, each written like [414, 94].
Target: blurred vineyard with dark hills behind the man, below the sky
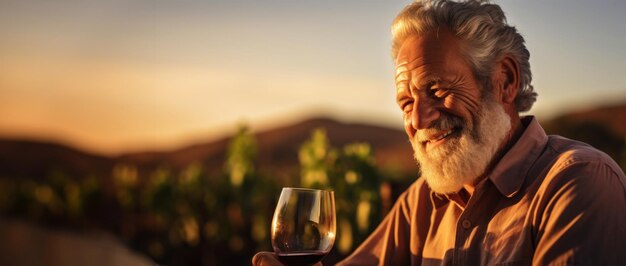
[211, 203]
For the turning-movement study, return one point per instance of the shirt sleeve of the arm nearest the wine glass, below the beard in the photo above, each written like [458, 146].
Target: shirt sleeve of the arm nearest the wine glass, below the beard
[390, 243]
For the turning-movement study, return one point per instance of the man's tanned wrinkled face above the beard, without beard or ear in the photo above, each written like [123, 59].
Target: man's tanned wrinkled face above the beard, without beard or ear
[432, 78]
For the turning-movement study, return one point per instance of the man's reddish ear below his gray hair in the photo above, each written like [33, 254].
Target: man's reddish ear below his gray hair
[506, 79]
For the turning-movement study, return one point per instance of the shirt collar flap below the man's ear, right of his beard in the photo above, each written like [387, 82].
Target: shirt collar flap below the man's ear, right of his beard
[509, 174]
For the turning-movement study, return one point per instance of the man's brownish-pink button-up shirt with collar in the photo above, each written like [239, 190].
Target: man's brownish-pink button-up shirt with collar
[549, 200]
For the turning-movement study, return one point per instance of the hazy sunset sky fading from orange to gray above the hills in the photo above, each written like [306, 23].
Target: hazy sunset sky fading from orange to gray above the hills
[114, 76]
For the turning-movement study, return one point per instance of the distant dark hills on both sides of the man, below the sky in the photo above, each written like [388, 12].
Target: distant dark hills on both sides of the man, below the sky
[603, 127]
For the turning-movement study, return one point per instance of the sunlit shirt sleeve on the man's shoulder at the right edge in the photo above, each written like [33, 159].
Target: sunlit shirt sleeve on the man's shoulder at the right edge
[582, 220]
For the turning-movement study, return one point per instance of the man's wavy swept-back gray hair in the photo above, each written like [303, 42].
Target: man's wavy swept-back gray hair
[484, 33]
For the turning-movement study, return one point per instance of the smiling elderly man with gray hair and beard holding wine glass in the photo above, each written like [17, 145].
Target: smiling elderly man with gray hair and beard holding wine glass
[495, 189]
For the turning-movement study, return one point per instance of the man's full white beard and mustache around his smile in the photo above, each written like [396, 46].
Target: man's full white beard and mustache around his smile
[462, 159]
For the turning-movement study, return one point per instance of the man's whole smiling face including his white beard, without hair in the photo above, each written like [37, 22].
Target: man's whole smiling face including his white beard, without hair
[455, 130]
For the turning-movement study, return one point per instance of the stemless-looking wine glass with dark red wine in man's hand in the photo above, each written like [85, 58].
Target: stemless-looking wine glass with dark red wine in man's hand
[304, 226]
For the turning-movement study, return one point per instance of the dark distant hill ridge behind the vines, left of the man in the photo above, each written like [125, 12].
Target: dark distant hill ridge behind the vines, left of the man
[277, 151]
